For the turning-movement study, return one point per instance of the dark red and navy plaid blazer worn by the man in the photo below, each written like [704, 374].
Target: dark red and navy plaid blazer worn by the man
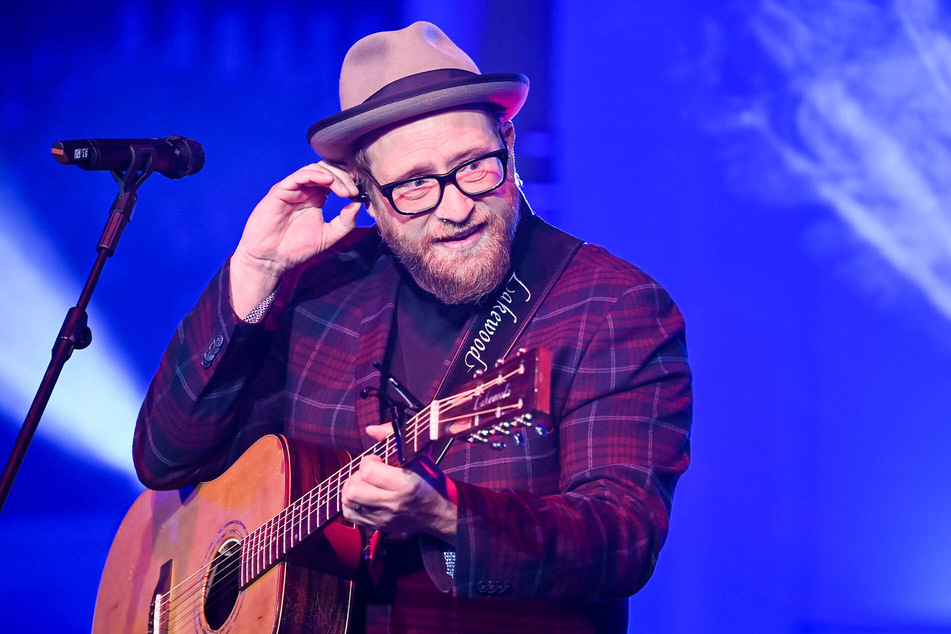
[567, 525]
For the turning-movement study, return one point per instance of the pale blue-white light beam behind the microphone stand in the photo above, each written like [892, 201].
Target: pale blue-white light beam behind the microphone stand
[93, 408]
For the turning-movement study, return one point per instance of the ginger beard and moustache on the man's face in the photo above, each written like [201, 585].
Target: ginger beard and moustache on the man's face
[459, 277]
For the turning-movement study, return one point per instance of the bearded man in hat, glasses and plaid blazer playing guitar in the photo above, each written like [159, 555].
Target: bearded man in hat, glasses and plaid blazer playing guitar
[285, 337]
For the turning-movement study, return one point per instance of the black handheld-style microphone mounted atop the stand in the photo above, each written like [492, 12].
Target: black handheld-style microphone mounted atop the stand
[173, 156]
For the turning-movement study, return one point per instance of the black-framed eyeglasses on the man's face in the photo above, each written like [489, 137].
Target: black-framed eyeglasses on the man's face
[424, 193]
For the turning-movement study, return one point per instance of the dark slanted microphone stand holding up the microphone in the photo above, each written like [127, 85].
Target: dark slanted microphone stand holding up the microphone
[75, 333]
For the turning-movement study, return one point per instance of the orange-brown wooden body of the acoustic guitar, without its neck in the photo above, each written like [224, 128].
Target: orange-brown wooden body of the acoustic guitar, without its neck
[173, 563]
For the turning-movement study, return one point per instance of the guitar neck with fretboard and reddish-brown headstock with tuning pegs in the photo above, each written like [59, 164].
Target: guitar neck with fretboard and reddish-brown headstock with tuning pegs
[499, 405]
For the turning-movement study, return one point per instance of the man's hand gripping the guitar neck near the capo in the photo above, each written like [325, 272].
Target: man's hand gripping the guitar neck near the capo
[398, 500]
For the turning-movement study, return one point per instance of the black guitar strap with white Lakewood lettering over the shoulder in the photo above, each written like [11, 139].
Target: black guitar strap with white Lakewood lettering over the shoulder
[540, 253]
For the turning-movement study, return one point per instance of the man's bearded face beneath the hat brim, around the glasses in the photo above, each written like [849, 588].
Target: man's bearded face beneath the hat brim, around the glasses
[459, 251]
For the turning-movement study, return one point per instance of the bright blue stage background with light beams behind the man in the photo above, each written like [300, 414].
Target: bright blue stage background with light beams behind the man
[781, 166]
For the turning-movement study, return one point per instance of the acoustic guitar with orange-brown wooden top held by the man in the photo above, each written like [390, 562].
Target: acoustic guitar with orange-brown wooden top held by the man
[261, 548]
